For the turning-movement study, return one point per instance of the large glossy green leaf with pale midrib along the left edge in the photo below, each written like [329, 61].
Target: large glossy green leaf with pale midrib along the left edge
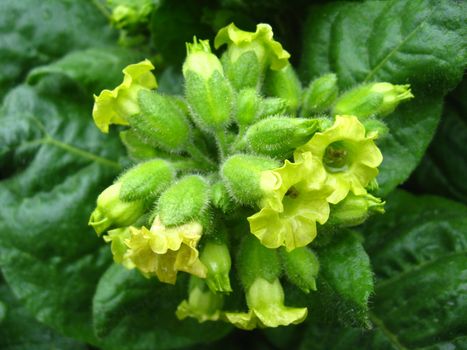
[54, 162]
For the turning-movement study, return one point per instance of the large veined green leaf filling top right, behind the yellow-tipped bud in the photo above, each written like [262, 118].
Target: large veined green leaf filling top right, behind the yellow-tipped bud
[420, 42]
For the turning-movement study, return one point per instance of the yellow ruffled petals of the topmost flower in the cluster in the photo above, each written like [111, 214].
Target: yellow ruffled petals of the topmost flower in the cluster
[267, 49]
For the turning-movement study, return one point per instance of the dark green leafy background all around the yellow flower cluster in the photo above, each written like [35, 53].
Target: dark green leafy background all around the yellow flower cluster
[398, 282]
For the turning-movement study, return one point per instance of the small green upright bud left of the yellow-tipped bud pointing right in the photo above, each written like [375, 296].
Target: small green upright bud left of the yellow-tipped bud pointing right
[320, 95]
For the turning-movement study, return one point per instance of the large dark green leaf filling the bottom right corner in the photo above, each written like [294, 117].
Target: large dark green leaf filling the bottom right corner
[419, 254]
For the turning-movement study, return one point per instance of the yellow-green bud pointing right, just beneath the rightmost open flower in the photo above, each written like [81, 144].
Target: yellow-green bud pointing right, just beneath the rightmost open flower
[354, 210]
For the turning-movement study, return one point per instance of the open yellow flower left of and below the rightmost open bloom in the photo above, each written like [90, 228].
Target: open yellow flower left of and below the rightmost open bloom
[292, 206]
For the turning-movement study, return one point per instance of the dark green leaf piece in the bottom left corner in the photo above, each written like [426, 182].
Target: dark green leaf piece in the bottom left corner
[20, 331]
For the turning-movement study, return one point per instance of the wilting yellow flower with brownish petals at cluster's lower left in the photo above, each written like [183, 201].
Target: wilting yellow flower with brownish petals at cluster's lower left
[163, 251]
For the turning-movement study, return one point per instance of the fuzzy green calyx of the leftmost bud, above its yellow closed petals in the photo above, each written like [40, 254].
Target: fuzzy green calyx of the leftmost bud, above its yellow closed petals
[146, 180]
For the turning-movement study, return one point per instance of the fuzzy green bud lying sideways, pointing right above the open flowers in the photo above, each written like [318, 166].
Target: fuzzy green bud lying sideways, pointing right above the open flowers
[279, 136]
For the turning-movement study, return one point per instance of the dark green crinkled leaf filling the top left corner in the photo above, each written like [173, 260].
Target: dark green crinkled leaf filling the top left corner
[33, 34]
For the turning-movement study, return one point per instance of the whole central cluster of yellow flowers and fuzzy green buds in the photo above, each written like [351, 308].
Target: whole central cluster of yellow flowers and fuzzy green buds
[240, 175]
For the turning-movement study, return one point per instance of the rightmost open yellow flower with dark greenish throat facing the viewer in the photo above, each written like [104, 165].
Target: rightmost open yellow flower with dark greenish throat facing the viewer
[349, 156]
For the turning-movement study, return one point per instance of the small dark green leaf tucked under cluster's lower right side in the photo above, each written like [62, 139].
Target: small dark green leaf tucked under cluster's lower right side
[345, 279]
